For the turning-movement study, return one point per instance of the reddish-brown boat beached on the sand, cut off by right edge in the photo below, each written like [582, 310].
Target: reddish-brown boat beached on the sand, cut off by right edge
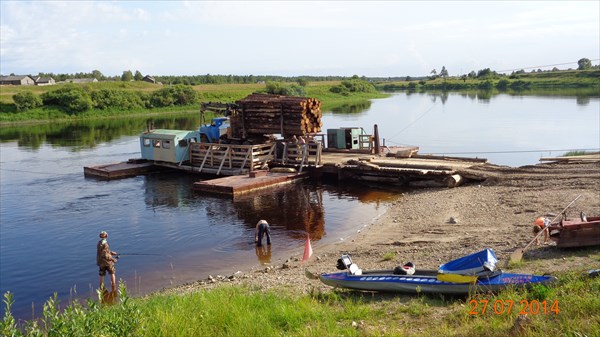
[578, 232]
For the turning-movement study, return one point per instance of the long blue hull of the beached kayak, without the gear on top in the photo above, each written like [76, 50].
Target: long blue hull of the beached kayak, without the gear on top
[427, 282]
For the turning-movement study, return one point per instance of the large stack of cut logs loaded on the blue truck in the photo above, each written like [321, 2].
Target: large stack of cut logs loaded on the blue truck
[275, 114]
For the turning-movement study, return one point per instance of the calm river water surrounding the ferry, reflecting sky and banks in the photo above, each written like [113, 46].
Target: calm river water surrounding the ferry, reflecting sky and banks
[50, 214]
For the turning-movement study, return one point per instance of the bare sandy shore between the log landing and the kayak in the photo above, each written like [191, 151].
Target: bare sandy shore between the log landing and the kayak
[431, 226]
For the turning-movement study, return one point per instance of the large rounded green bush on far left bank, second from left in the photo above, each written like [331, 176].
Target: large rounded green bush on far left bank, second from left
[72, 98]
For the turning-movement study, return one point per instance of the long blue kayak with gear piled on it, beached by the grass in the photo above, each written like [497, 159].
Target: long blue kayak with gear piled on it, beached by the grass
[472, 273]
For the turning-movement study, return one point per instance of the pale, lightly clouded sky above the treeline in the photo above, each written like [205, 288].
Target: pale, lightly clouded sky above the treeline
[295, 38]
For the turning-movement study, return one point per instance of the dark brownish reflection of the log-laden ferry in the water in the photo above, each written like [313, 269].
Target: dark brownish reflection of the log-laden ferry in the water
[291, 210]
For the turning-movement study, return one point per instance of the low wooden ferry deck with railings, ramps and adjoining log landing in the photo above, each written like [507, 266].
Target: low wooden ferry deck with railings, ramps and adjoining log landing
[244, 166]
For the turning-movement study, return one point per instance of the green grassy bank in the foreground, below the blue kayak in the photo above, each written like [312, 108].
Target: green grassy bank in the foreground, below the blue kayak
[568, 307]
